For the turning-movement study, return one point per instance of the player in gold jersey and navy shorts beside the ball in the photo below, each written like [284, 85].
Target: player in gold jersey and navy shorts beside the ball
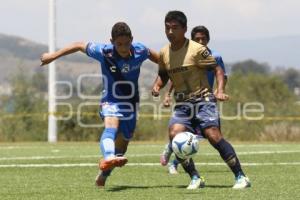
[186, 63]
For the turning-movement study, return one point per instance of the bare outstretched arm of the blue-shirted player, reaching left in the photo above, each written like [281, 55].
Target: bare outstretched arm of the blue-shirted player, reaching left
[47, 58]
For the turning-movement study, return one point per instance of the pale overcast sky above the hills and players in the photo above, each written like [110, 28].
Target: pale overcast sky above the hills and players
[91, 20]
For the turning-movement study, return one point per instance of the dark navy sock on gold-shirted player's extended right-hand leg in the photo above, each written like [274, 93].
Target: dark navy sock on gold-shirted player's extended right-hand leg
[229, 156]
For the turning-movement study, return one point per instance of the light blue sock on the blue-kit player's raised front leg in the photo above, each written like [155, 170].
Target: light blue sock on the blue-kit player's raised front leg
[107, 142]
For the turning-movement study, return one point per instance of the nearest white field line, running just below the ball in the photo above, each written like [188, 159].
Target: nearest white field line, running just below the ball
[136, 164]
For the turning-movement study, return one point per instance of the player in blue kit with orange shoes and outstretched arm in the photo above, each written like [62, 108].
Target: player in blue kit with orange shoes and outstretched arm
[120, 66]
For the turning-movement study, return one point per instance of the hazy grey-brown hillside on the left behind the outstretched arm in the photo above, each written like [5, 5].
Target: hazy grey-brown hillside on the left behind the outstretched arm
[16, 52]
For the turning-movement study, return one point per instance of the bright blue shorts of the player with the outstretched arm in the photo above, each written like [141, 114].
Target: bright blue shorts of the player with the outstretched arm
[125, 112]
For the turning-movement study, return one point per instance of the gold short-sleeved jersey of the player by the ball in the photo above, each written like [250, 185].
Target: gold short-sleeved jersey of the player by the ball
[187, 69]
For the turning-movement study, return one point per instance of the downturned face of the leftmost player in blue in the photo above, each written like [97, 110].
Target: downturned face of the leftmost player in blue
[122, 45]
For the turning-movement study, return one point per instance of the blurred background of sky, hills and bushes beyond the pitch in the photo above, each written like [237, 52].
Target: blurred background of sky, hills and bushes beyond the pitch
[259, 41]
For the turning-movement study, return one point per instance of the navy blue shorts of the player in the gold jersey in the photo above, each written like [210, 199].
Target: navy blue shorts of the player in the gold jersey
[196, 115]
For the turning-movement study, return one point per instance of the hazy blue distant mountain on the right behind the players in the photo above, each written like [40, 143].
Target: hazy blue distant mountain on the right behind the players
[281, 51]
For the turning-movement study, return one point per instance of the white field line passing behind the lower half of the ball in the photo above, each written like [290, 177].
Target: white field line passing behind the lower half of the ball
[140, 155]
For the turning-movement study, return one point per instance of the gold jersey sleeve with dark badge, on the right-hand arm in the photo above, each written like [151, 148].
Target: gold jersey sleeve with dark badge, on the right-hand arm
[204, 59]
